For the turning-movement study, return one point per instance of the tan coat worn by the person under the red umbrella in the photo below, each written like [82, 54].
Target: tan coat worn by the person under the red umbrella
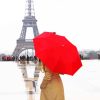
[51, 86]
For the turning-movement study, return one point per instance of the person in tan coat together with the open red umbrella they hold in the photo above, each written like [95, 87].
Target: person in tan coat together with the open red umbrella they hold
[57, 56]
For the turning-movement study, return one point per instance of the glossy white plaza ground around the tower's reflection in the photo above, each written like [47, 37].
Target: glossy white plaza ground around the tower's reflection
[84, 85]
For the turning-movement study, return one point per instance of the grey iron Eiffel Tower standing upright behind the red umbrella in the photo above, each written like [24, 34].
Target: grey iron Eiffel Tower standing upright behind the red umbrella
[28, 21]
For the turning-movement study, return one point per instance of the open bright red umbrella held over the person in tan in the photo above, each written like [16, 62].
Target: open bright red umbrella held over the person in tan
[57, 53]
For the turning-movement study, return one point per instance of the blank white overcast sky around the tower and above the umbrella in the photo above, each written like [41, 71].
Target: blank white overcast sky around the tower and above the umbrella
[78, 20]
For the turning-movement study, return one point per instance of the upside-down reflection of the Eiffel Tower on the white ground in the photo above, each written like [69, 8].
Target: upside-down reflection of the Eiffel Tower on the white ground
[30, 73]
